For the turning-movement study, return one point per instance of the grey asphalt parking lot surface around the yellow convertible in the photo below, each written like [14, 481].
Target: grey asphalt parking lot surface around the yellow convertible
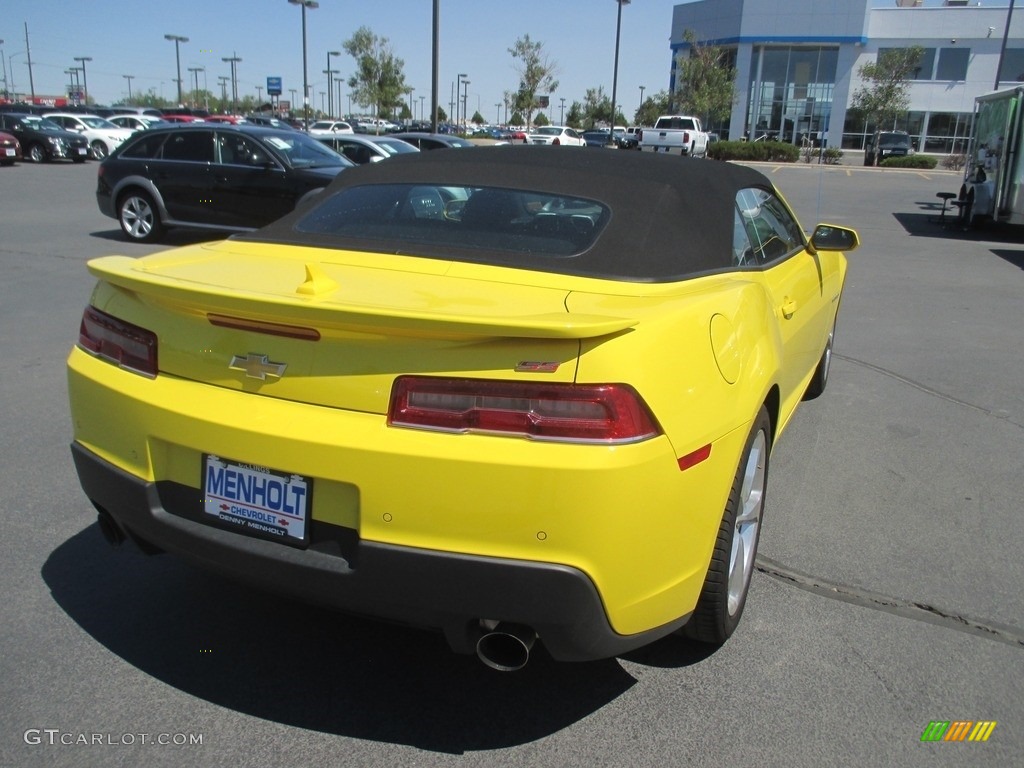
[888, 594]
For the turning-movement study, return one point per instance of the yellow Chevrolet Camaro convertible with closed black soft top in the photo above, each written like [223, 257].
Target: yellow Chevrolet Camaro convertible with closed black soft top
[517, 396]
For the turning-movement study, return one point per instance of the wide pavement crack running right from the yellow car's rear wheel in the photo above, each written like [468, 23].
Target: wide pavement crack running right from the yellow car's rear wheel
[907, 609]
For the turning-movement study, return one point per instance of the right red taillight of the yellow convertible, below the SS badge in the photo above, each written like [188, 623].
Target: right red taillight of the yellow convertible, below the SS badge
[599, 413]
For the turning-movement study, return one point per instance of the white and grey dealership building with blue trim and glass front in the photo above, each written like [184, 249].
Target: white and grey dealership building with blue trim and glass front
[797, 63]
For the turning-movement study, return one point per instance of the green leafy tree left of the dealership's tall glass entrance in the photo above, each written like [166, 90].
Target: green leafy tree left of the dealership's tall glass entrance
[707, 81]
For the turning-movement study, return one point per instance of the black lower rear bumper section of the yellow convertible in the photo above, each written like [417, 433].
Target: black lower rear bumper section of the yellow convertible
[432, 589]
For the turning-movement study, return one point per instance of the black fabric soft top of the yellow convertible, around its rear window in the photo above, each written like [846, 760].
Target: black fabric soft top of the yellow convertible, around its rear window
[671, 218]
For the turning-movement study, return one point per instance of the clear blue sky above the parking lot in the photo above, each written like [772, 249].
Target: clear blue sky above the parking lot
[127, 38]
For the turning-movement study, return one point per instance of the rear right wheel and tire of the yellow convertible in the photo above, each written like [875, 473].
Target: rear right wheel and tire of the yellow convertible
[724, 593]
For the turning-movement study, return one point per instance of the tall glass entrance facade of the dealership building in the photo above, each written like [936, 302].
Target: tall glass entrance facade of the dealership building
[791, 92]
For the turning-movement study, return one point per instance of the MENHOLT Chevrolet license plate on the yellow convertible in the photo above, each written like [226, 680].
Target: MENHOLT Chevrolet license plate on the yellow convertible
[257, 501]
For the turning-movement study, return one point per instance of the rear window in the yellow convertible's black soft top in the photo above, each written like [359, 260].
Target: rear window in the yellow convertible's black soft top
[428, 220]
